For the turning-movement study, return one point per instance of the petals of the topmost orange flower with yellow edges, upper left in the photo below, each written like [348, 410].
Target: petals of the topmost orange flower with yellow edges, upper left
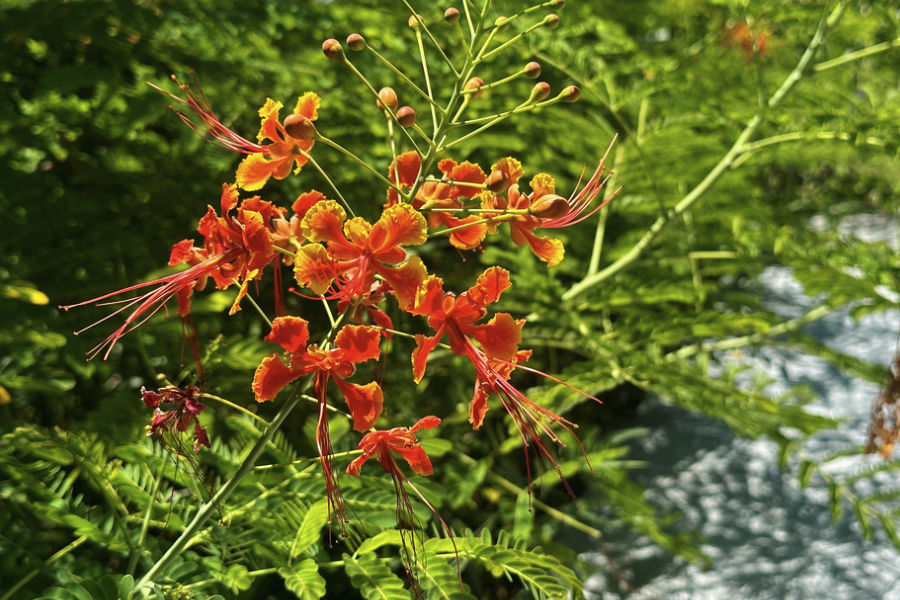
[285, 152]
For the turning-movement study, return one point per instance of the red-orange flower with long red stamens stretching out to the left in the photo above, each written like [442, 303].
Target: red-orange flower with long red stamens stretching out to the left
[236, 249]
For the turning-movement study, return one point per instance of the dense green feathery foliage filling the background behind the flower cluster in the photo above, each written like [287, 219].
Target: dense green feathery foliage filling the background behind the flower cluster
[98, 179]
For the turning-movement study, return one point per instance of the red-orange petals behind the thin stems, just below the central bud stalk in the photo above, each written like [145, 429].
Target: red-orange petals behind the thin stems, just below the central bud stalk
[444, 196]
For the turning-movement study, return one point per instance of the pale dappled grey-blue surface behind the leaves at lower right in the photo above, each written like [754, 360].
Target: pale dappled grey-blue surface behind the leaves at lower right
[769, 538]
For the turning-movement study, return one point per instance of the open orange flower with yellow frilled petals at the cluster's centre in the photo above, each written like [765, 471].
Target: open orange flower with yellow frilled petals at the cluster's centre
[356, 251]
